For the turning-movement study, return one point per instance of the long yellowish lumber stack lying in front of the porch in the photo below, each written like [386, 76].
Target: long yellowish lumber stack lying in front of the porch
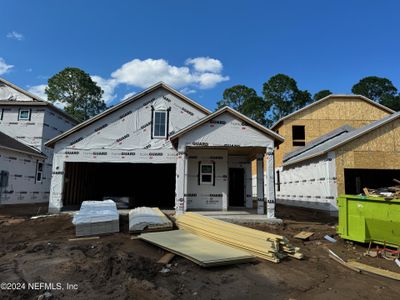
[261, 244]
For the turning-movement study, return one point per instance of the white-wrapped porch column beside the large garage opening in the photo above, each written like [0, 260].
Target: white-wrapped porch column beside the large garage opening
[180, 182]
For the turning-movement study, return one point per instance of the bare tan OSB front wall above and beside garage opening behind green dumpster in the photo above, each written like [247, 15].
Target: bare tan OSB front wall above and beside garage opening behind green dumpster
[378, 149]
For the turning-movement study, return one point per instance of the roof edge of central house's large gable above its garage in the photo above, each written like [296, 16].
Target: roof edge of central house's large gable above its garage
[123, 103]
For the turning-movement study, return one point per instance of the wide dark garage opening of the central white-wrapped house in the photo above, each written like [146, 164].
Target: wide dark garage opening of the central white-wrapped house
[144, 184]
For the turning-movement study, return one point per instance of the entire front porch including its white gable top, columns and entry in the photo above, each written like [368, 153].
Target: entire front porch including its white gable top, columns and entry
[213, 166]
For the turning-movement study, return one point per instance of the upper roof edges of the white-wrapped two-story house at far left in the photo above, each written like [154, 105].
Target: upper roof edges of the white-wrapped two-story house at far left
[36, 101]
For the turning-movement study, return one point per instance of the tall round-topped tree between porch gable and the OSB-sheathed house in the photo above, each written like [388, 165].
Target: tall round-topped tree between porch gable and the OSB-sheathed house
[283, 97]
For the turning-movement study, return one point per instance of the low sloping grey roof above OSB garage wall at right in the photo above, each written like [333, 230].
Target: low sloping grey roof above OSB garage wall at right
[341, 137]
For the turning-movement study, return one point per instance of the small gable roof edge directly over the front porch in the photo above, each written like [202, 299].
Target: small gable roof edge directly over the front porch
[234, 112]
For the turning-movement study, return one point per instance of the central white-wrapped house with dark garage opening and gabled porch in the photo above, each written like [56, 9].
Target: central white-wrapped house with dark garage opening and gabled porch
[206, 156]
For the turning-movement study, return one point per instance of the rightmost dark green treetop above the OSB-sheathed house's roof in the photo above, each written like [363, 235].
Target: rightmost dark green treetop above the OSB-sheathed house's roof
[378, 89]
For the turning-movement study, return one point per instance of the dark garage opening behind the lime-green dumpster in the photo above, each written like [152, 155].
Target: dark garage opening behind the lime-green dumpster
[357, 179]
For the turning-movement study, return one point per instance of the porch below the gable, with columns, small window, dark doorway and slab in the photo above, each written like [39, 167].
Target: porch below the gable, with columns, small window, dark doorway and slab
[219, 179]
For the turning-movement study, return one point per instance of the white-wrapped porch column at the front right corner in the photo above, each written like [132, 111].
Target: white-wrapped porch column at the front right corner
[270, 183]
